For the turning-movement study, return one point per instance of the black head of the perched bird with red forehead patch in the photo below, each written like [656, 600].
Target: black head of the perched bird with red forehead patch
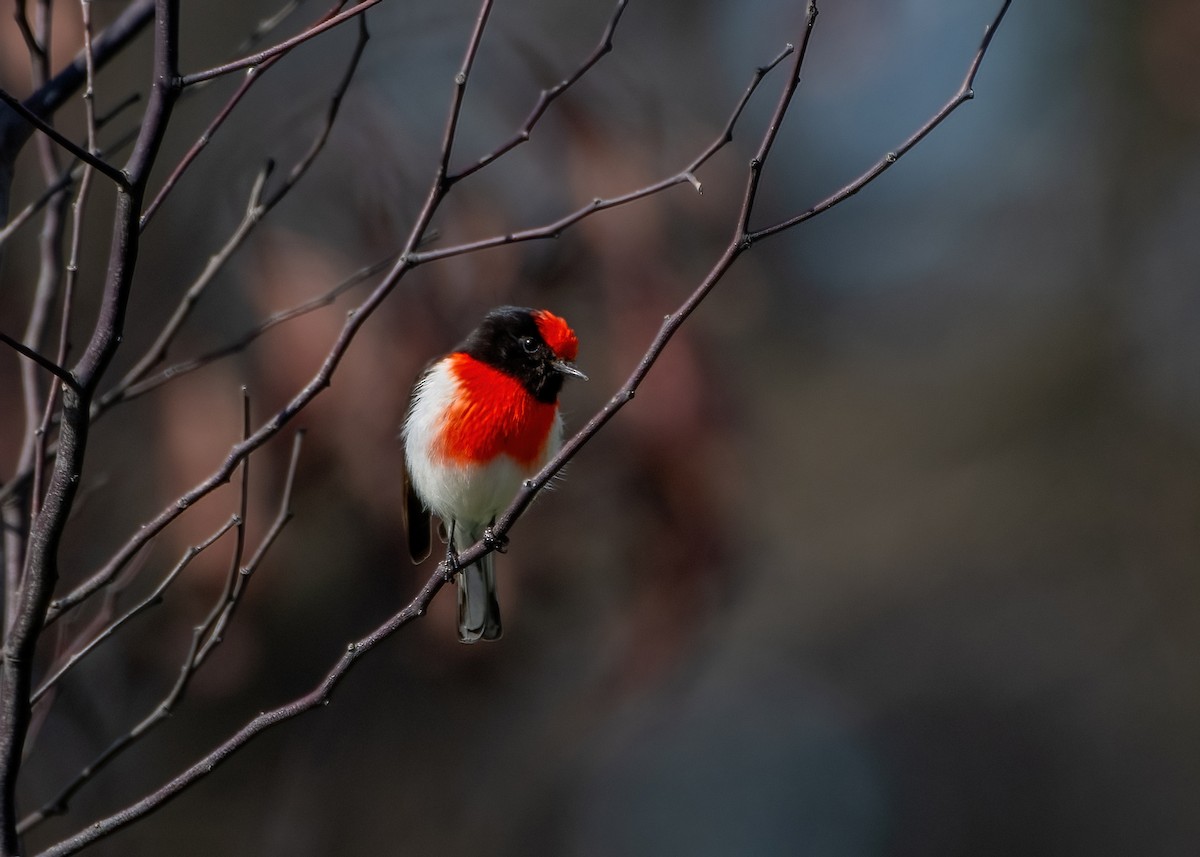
[533, 346]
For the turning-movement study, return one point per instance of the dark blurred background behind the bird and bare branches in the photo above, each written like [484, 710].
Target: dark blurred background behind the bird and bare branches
[895, 554]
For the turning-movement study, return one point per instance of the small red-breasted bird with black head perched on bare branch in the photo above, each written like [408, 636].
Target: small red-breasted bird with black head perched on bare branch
[481, 422]
